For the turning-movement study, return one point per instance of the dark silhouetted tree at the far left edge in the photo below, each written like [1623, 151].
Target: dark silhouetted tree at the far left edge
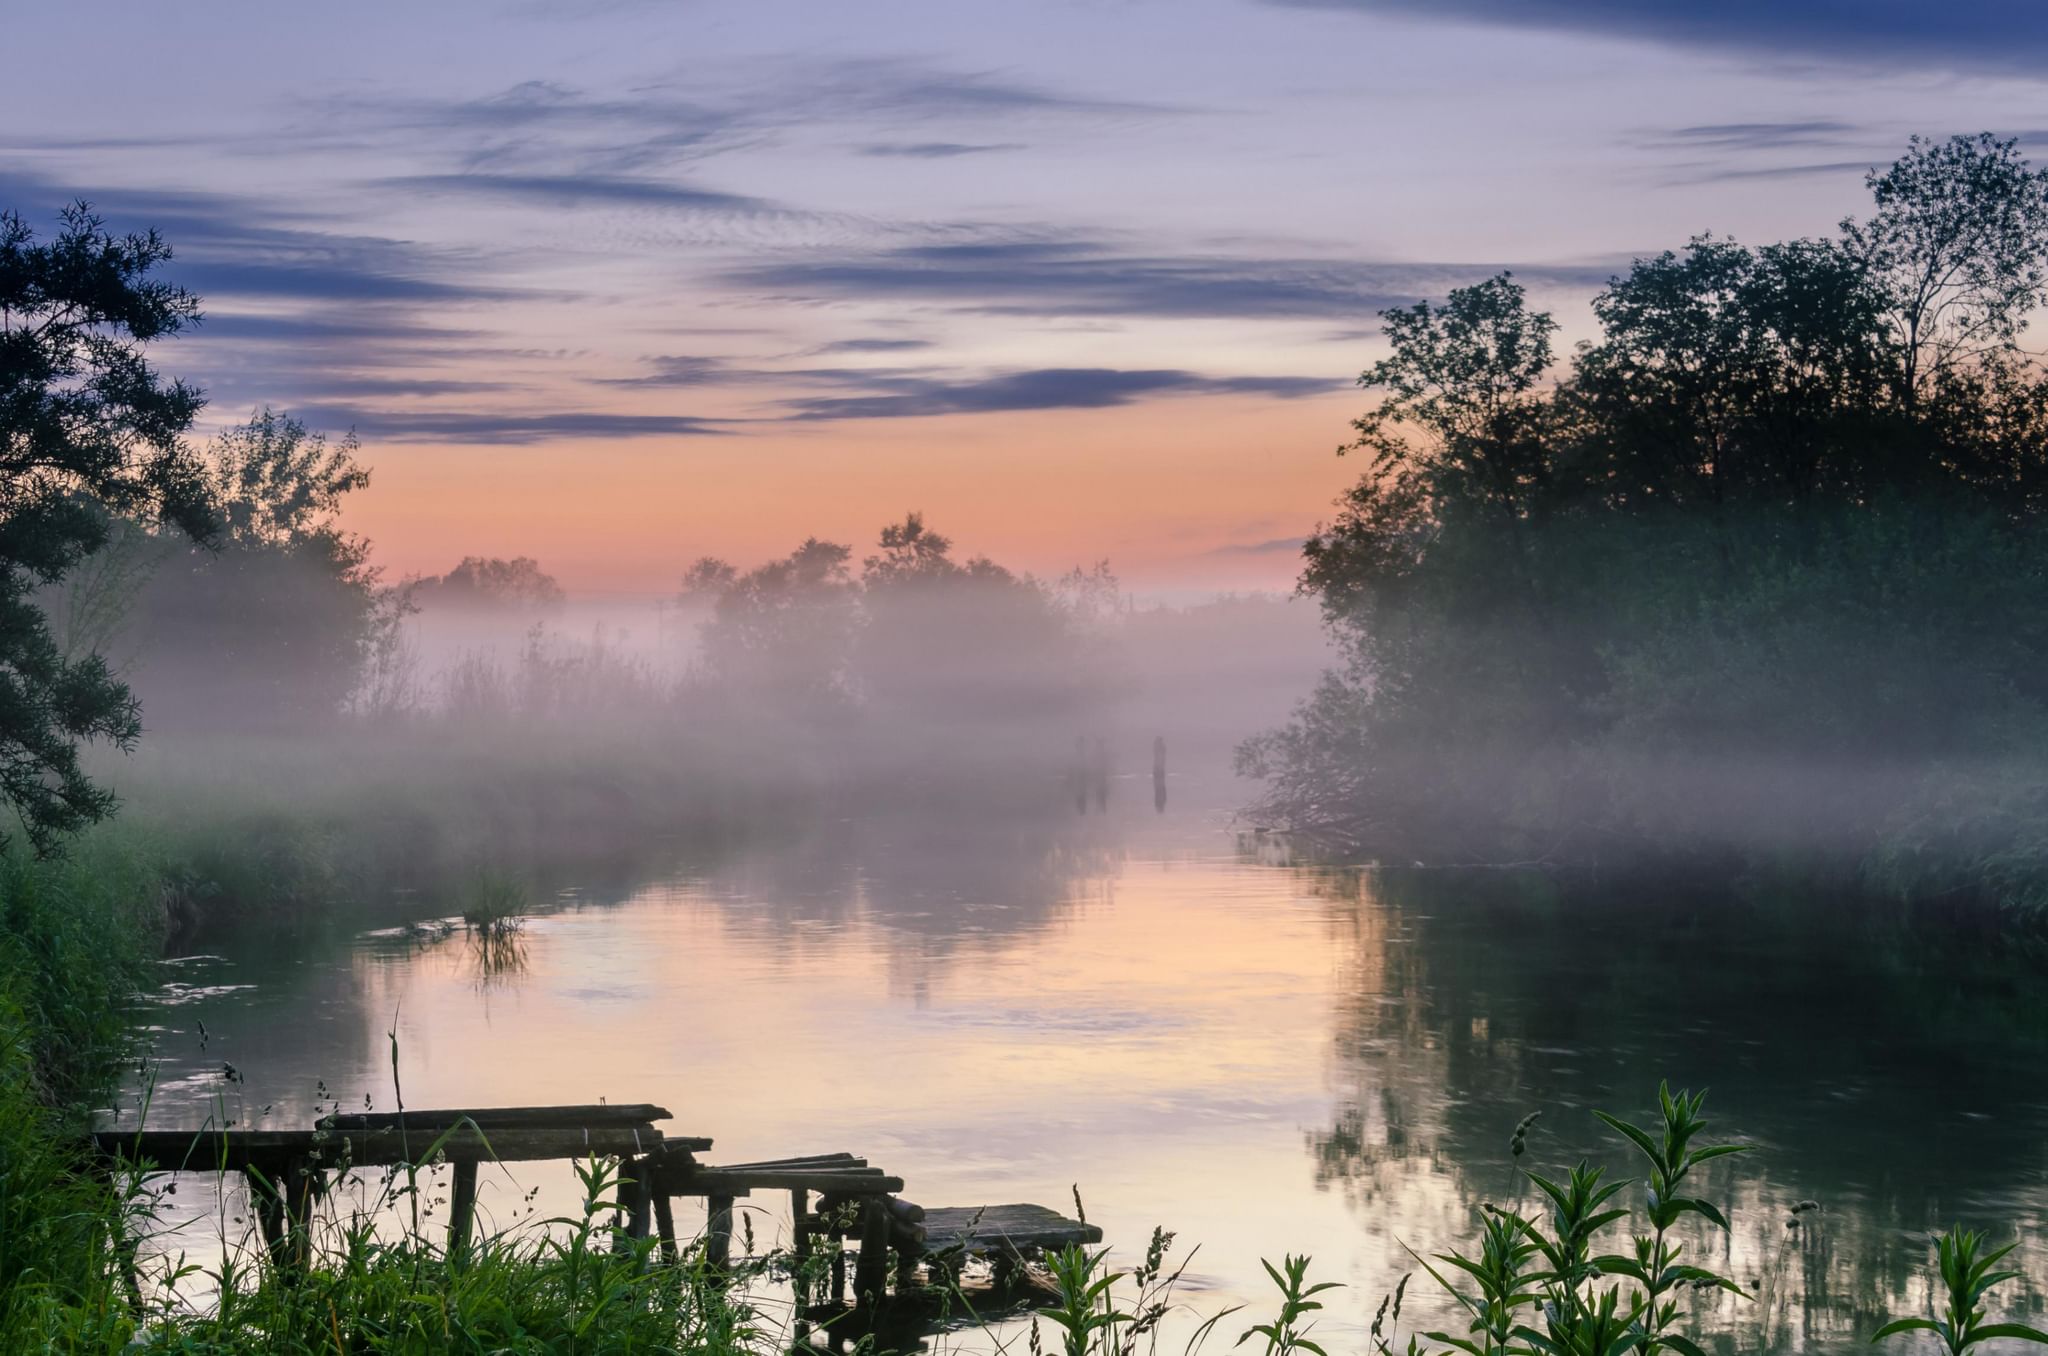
[89, 433]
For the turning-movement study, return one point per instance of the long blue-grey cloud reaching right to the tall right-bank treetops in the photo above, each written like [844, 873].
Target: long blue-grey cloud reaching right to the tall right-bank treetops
[1078, 278]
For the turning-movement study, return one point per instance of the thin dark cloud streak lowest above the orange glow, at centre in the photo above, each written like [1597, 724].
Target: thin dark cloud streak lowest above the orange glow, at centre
[1050, 388]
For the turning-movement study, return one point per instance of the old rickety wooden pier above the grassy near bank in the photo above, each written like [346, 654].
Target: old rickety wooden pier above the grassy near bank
[855, 1203]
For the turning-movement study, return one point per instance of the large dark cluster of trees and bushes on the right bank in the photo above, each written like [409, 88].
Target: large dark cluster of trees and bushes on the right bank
[1760, 570]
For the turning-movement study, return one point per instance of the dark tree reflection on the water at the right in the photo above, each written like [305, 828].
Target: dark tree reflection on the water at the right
[1844, 1050]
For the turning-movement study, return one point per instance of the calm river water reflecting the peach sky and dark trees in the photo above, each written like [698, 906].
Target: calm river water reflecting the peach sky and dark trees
[1261, 1056]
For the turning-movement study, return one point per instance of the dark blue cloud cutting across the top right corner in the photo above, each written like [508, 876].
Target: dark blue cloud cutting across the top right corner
[1897, 34]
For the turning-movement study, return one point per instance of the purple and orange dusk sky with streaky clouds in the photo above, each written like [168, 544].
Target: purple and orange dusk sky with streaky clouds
[624, 284]
